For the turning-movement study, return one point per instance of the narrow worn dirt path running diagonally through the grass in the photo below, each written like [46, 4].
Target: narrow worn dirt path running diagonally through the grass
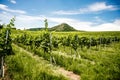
[59, 70]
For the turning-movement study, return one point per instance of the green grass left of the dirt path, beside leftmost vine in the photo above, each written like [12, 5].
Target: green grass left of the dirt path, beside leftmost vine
[22, 66]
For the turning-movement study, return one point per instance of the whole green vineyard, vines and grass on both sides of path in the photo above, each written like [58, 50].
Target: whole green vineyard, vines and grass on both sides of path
[90, 55]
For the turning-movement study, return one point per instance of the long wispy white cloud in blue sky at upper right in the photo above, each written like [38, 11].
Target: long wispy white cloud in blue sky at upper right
[95, 7]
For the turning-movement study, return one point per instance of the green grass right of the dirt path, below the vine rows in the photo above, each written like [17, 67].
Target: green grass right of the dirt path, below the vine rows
[102, 64]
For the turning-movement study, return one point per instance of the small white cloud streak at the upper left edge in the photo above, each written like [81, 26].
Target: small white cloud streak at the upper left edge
[5, 8]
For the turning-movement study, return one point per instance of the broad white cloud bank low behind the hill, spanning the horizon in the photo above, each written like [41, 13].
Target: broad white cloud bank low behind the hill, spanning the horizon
[27, 21]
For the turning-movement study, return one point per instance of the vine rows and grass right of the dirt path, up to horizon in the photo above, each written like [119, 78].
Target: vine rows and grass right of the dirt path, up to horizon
[84, 55]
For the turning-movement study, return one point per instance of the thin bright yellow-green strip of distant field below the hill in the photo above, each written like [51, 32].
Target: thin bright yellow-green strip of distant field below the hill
[87, 34]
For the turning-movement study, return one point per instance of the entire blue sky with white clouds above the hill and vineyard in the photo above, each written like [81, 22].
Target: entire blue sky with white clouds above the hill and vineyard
[89, 15]
